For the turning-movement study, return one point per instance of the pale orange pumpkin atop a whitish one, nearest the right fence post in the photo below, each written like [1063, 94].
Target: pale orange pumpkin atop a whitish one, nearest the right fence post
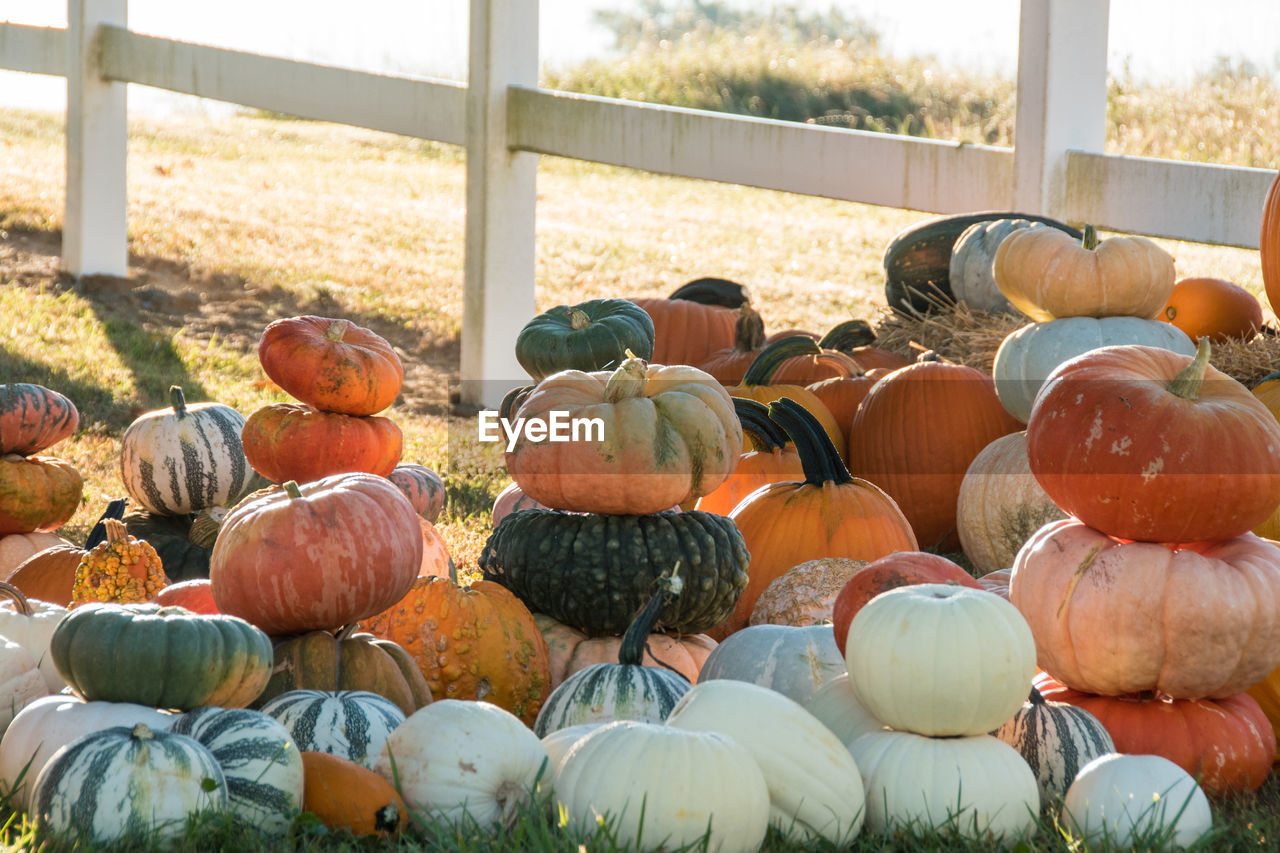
[1048, 275]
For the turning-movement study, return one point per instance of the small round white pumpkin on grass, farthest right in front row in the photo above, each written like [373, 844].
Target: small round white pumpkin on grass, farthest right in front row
[1137, 802]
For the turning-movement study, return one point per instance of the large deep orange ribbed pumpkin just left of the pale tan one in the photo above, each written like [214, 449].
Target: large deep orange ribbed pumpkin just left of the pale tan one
[897, 448]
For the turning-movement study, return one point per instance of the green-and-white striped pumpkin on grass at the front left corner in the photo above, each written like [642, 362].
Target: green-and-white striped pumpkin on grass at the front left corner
[127, 783]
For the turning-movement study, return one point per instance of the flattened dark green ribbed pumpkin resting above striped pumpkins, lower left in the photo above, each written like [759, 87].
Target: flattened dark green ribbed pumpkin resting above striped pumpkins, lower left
[161, 658]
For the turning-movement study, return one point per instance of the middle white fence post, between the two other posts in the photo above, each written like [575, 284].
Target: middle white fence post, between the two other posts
[499, 289]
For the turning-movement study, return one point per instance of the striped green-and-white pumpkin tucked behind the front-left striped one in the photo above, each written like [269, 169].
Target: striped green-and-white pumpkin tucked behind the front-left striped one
[258, 756]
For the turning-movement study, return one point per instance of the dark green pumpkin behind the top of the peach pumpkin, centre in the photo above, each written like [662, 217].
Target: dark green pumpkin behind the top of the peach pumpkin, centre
[591, 336]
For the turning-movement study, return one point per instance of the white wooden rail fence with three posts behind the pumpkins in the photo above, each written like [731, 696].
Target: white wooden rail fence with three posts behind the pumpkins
[505, 121]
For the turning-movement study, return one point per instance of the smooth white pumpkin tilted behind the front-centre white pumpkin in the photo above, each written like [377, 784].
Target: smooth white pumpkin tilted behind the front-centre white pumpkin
[816, 791]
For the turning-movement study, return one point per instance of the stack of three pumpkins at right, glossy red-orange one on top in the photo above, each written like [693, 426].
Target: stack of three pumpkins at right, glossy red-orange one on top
[1153, 605]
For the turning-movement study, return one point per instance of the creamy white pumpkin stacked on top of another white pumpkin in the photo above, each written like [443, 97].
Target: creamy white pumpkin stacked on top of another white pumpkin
[915, 683]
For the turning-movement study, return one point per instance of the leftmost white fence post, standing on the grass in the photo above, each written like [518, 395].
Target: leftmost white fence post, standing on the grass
[95, 232]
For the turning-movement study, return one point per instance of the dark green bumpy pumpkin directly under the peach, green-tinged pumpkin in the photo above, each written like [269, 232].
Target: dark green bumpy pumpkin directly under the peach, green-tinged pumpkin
[564, 565]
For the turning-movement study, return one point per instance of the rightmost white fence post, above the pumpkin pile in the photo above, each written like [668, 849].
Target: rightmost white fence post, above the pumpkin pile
[1062, 97]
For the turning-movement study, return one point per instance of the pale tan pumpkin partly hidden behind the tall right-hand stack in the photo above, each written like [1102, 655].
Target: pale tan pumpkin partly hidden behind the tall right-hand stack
[1000, 505]
